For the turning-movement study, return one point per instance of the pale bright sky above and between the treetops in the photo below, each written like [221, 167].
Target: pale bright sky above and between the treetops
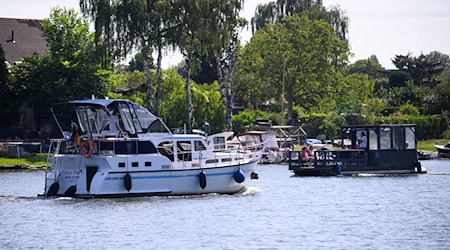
[384, 28]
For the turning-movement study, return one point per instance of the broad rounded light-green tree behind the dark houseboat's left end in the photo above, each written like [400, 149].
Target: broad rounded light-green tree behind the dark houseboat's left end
[291, 54]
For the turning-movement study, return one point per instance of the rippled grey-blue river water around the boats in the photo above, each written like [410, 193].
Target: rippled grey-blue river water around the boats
[277, 211]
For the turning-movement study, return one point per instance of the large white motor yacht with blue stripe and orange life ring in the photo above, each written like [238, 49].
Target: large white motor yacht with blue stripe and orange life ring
[125, 150]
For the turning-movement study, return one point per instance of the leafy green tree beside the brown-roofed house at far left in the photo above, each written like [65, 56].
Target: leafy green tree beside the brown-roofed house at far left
[69, 71]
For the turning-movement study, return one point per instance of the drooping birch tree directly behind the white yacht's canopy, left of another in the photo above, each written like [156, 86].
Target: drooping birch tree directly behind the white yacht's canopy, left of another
[125, 26]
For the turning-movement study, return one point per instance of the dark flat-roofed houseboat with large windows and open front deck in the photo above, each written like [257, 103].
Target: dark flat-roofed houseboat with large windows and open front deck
[388, 149]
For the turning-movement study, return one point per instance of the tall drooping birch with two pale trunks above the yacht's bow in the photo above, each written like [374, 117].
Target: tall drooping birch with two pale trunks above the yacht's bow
[208, 29]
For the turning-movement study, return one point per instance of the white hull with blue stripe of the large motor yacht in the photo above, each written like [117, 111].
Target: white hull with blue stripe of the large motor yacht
[97, 178]
